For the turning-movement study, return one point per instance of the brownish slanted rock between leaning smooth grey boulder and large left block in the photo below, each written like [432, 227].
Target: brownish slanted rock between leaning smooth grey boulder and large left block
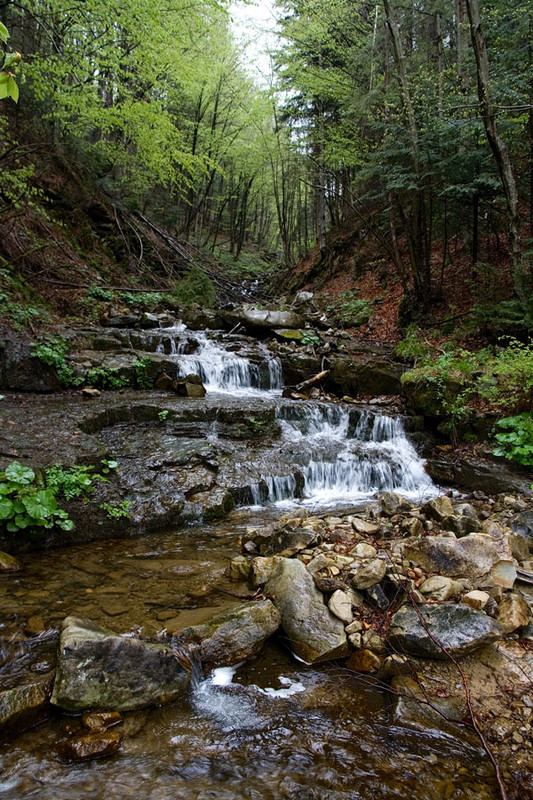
[232, 636]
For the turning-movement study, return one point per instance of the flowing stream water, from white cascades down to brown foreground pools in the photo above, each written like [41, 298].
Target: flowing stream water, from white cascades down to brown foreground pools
[267, 729]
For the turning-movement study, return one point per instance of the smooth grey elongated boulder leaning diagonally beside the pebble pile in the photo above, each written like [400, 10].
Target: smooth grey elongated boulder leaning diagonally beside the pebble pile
[313, 632]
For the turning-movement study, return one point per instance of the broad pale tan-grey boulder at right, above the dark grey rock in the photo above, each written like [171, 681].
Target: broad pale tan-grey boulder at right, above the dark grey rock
[478, 557]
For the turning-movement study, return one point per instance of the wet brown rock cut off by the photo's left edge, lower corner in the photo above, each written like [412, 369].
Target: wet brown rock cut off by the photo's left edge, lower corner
[24, 706]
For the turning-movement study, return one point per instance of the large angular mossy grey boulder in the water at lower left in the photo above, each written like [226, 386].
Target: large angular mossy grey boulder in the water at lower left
[101, 670]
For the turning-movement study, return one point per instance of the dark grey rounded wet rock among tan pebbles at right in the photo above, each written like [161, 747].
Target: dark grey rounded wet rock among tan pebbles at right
[458, 628]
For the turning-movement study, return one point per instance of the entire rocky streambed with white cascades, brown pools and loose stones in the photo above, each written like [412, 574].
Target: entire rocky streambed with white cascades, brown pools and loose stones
[312, 653]
